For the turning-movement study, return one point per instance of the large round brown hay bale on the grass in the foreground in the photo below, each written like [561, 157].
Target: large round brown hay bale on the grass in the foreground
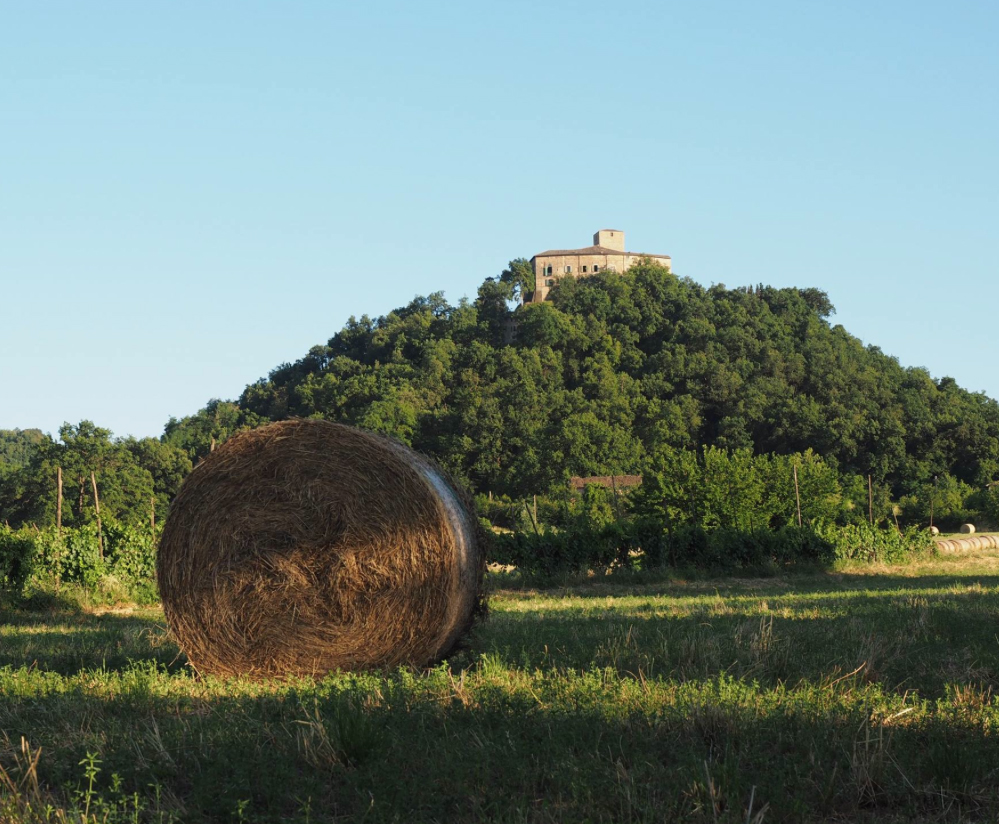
[306, 546]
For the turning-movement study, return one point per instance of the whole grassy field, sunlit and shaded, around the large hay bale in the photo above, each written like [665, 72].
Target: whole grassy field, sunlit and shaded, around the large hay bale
[865, 694]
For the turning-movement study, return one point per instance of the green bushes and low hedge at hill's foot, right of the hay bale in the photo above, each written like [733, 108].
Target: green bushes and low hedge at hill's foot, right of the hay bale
[716, 510]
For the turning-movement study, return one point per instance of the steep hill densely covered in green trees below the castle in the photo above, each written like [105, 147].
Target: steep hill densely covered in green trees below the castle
[613, 371]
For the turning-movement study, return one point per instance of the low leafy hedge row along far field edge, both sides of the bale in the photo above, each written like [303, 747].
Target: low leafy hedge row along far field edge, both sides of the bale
[129, 553]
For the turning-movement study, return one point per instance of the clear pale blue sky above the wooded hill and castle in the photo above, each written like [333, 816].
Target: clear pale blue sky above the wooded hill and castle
[193, 193]
